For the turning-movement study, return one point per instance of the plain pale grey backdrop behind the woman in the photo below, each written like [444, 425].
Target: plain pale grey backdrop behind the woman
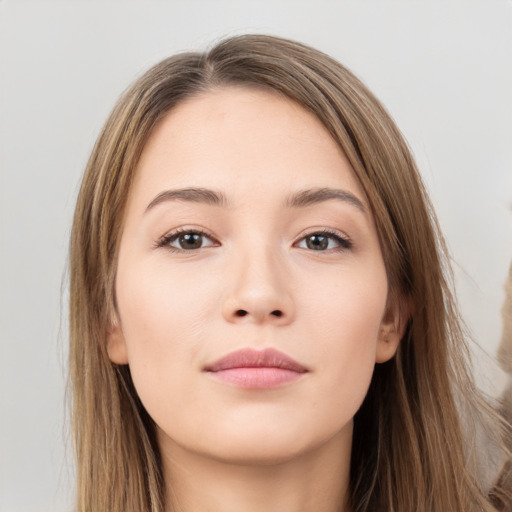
[442, 68]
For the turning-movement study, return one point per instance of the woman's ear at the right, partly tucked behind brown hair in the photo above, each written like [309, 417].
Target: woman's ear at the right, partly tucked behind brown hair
[391, 330]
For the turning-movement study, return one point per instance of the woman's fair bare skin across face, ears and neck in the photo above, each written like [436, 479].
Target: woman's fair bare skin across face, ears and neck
[226, 448]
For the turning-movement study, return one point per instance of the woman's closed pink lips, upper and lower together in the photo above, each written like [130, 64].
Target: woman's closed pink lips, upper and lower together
[255, 369]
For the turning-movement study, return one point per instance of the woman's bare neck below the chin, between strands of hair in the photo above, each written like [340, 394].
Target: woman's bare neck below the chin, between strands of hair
[316, 480]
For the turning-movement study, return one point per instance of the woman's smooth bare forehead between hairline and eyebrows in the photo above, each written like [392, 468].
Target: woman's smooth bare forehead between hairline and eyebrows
[242, 140]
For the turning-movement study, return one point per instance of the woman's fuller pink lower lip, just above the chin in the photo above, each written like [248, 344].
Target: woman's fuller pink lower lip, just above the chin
[256, 378]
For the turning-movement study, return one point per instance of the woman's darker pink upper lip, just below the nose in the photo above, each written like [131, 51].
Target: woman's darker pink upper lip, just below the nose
[251, 358]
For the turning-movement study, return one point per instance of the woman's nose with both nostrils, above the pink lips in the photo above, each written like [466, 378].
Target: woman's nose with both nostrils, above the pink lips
[259, 291]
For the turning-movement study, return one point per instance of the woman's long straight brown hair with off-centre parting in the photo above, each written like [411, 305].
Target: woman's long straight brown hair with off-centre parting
[412, 446]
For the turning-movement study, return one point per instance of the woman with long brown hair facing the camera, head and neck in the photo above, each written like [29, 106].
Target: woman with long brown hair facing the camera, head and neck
[260, 316]
